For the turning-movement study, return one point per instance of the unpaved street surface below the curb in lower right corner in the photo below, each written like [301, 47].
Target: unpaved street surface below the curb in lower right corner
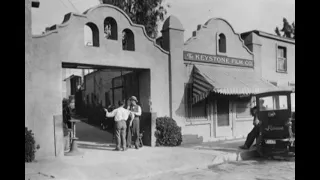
[244, 170]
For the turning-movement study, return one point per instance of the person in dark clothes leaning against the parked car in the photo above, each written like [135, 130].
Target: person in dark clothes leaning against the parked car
[254, 134]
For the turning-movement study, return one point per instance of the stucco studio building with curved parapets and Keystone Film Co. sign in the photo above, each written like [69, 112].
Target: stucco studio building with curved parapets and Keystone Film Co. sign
[205, 84]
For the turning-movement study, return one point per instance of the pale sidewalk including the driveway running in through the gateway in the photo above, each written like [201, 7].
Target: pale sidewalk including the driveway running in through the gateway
[99, 162]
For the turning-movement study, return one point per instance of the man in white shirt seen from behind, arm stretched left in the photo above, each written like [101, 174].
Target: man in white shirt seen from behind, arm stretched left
[120, 117]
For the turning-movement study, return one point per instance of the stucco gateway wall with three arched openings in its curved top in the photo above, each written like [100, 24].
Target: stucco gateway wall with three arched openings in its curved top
[67, 46]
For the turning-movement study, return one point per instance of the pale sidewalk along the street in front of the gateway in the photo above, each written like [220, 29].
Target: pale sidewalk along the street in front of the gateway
[132, 164]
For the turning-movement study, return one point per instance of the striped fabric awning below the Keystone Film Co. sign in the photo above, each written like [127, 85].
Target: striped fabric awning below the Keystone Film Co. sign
[227, 81]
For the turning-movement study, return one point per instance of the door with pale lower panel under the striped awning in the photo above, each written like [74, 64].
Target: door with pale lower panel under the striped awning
[224, 124]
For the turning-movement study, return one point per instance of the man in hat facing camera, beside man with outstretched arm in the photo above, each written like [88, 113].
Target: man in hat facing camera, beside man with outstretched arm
[136, 109]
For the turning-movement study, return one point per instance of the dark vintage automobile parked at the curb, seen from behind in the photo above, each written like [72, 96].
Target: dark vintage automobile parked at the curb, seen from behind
[277, 129]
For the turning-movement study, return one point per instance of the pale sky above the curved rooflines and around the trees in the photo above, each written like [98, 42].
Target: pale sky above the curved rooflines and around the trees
[243, 15]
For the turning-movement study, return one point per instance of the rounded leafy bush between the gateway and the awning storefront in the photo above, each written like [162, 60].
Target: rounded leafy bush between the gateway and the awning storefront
[168, 133]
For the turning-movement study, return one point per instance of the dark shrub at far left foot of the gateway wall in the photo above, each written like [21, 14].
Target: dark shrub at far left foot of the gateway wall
[30, 146]
